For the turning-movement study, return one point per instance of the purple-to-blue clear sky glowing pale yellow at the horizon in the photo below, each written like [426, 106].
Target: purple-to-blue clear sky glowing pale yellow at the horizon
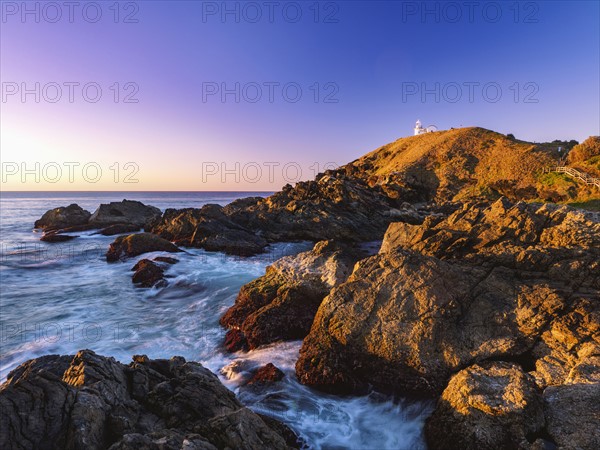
[193, 95]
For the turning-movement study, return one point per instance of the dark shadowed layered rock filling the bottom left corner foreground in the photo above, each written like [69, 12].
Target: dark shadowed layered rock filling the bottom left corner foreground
[92, 402]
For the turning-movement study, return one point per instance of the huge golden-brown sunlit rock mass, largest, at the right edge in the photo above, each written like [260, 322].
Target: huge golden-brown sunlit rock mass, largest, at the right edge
[501, 281]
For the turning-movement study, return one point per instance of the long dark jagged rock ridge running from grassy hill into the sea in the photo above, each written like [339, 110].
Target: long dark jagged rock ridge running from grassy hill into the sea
[334, 206]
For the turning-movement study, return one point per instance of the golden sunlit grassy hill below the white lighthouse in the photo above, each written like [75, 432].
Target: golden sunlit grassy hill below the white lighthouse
[468, 163]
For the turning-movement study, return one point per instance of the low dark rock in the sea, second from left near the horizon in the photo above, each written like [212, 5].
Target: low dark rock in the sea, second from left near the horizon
[128, 212]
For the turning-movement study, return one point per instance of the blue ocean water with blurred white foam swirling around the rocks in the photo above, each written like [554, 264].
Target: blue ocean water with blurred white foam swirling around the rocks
[58, 298]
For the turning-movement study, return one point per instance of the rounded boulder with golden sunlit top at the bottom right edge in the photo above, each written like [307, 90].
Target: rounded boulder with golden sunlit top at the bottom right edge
[488, 406]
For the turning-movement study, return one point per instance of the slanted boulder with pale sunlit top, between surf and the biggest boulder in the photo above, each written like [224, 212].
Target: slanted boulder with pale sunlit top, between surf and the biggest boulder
[281, 305]
